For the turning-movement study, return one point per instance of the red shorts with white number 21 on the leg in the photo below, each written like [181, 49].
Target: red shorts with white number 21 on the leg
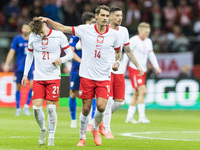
[48, 89]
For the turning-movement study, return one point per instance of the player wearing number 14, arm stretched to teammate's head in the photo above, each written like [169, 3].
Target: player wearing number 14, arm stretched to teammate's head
[98, 44]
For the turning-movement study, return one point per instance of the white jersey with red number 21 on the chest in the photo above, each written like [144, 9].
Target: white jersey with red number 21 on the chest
[45, 51]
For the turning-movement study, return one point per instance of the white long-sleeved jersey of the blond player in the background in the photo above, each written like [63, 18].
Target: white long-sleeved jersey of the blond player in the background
[142, 50]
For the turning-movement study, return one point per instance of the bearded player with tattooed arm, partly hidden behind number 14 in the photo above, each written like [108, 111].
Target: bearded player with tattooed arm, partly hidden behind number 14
[117, 88]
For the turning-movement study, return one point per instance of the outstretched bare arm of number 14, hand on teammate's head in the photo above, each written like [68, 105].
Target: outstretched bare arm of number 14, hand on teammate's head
[57, 26]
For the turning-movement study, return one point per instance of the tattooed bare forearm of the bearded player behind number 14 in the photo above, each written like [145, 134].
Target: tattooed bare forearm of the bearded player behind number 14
[131, 57]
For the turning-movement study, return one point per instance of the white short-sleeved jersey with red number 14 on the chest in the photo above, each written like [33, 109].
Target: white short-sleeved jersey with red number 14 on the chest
[97, 51]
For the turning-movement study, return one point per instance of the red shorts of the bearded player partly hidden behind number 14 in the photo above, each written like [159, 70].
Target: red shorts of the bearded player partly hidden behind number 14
[117, 86]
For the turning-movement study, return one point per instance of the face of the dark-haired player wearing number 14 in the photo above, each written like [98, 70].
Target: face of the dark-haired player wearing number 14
[102, 17]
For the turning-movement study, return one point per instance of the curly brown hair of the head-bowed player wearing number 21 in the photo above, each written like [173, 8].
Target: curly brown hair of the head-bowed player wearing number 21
[36, 25]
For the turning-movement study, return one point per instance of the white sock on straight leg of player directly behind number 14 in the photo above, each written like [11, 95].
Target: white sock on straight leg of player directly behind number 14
[107, 115]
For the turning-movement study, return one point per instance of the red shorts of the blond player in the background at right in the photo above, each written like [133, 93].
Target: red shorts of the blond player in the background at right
[135, 79]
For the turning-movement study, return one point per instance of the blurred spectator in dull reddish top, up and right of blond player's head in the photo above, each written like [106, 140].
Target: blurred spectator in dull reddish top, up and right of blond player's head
[170, 15]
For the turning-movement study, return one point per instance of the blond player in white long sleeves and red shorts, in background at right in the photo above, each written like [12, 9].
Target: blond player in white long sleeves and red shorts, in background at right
[142, 48]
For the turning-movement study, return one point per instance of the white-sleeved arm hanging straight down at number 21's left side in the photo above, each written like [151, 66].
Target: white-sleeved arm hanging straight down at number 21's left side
[28, 63]
